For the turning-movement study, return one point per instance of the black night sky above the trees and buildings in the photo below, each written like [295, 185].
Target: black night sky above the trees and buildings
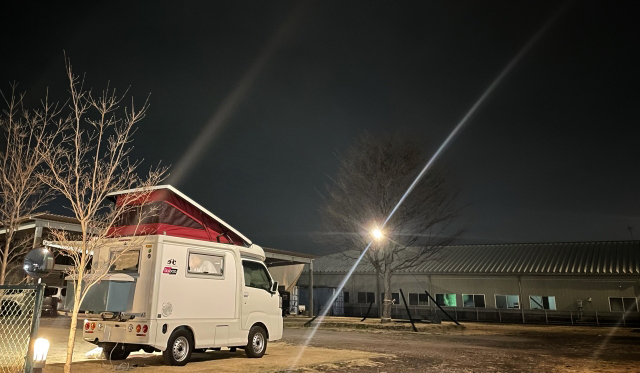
[552, 155]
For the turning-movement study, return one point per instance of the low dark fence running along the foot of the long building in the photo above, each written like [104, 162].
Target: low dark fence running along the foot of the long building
[551, 317]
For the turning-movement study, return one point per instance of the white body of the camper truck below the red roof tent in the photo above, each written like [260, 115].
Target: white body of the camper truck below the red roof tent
[144, 304]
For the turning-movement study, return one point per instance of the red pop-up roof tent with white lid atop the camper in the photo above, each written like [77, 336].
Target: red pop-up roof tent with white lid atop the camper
[165, 210]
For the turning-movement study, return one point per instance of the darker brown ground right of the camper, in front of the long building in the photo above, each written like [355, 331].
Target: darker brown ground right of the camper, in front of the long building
[487, 348]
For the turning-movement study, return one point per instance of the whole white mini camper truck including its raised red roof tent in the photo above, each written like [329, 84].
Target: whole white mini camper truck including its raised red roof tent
[190, 283]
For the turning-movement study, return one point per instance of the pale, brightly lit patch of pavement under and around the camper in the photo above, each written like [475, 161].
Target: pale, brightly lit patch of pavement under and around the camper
[279, 356]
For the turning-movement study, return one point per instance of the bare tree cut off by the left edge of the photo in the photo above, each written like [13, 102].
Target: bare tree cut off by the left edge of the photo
[22, 191]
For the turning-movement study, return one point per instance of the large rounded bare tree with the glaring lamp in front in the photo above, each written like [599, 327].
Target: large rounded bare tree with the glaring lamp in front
[372, 178]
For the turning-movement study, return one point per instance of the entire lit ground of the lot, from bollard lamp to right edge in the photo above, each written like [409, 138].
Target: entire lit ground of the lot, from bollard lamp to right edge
[358, 348]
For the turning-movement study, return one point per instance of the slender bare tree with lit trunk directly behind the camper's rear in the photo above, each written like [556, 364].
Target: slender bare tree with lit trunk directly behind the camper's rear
[91, 162]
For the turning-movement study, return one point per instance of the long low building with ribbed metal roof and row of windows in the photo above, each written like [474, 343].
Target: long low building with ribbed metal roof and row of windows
[568, 282]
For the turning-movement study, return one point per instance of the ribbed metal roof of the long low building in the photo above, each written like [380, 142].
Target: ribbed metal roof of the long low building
[610, 257]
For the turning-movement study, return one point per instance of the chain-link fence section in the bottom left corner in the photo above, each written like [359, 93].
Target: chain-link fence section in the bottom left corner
[19, 318]
